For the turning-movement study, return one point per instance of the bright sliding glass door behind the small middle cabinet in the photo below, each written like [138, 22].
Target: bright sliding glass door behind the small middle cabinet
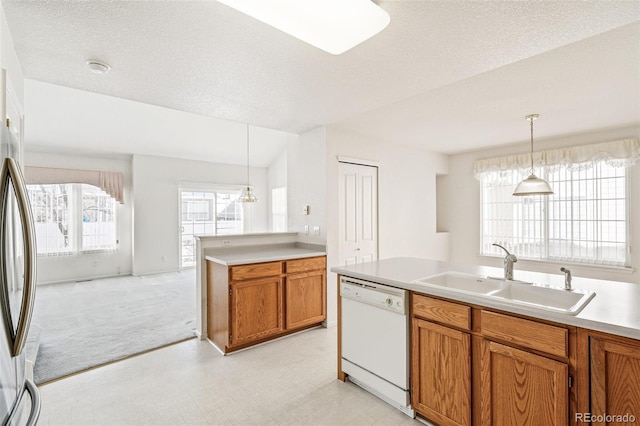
[213, 212]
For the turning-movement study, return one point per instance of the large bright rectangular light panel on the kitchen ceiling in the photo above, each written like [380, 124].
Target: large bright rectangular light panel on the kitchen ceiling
[334, 26]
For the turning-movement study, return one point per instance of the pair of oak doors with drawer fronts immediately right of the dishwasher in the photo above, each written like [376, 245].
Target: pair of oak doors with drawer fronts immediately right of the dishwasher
[472, 365]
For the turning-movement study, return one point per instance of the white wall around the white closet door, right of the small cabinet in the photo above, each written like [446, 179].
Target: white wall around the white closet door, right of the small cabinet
[406, 200]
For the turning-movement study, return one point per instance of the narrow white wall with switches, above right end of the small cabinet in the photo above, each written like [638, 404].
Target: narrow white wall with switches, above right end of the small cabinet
[307, 185]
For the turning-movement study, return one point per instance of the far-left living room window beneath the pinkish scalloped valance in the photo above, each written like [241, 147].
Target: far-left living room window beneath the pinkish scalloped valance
[72, 218]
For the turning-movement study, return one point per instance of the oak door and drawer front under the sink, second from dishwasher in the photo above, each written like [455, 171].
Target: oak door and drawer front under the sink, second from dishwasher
[521, 383]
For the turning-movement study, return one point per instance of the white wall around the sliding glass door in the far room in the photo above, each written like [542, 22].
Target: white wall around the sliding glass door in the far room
[156, 205]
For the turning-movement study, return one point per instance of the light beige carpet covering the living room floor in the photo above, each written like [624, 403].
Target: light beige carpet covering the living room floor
[90, 323]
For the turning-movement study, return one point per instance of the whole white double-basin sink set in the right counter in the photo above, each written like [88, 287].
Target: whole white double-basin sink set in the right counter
[520, 293]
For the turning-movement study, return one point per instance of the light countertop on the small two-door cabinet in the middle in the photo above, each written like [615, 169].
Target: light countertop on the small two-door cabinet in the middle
[264, 253]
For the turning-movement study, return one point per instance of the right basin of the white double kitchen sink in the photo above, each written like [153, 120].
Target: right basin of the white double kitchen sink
[548, 298]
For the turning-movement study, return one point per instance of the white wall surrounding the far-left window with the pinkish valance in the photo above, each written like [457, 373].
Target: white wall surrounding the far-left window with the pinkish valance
[89, 265]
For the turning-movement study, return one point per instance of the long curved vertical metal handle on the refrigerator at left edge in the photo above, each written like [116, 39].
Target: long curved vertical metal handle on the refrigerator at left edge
[10, 173]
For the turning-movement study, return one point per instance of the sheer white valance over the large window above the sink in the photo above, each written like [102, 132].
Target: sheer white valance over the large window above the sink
[620, 153]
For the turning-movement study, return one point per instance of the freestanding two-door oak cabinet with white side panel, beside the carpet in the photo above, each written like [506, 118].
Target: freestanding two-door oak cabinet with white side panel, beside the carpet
[248, 304]
